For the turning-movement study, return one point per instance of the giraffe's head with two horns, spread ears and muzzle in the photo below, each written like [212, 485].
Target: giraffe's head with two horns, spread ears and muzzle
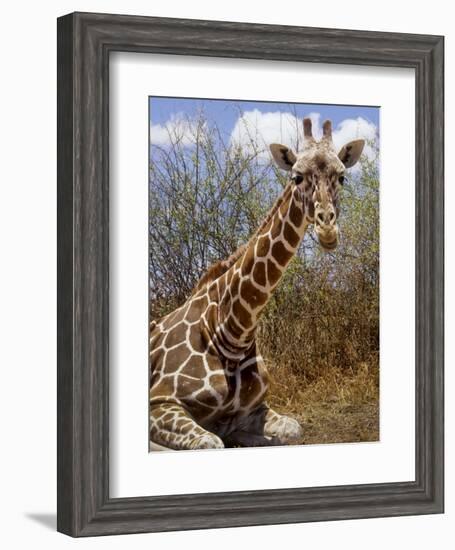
[318, 171]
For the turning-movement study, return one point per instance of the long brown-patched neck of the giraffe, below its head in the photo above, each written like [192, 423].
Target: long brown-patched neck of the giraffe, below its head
[247, 286]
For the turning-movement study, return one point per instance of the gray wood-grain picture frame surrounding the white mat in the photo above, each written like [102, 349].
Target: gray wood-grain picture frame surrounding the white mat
[85, 41]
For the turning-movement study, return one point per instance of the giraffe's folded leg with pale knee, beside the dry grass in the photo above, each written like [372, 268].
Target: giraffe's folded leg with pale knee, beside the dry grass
[264, 426]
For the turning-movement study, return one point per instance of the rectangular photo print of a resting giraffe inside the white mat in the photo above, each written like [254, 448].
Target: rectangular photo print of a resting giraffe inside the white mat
[264, 273]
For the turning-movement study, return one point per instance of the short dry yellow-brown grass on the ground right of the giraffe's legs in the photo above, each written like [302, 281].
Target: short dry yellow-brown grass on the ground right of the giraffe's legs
[338, 406]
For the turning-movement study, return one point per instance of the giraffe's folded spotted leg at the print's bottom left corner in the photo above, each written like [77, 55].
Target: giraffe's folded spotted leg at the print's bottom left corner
[172, 427]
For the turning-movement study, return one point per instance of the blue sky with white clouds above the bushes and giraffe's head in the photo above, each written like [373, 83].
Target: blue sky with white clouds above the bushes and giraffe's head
[254, 125]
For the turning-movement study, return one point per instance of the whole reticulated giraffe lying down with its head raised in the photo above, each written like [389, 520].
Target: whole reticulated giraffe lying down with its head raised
[208, 381]
